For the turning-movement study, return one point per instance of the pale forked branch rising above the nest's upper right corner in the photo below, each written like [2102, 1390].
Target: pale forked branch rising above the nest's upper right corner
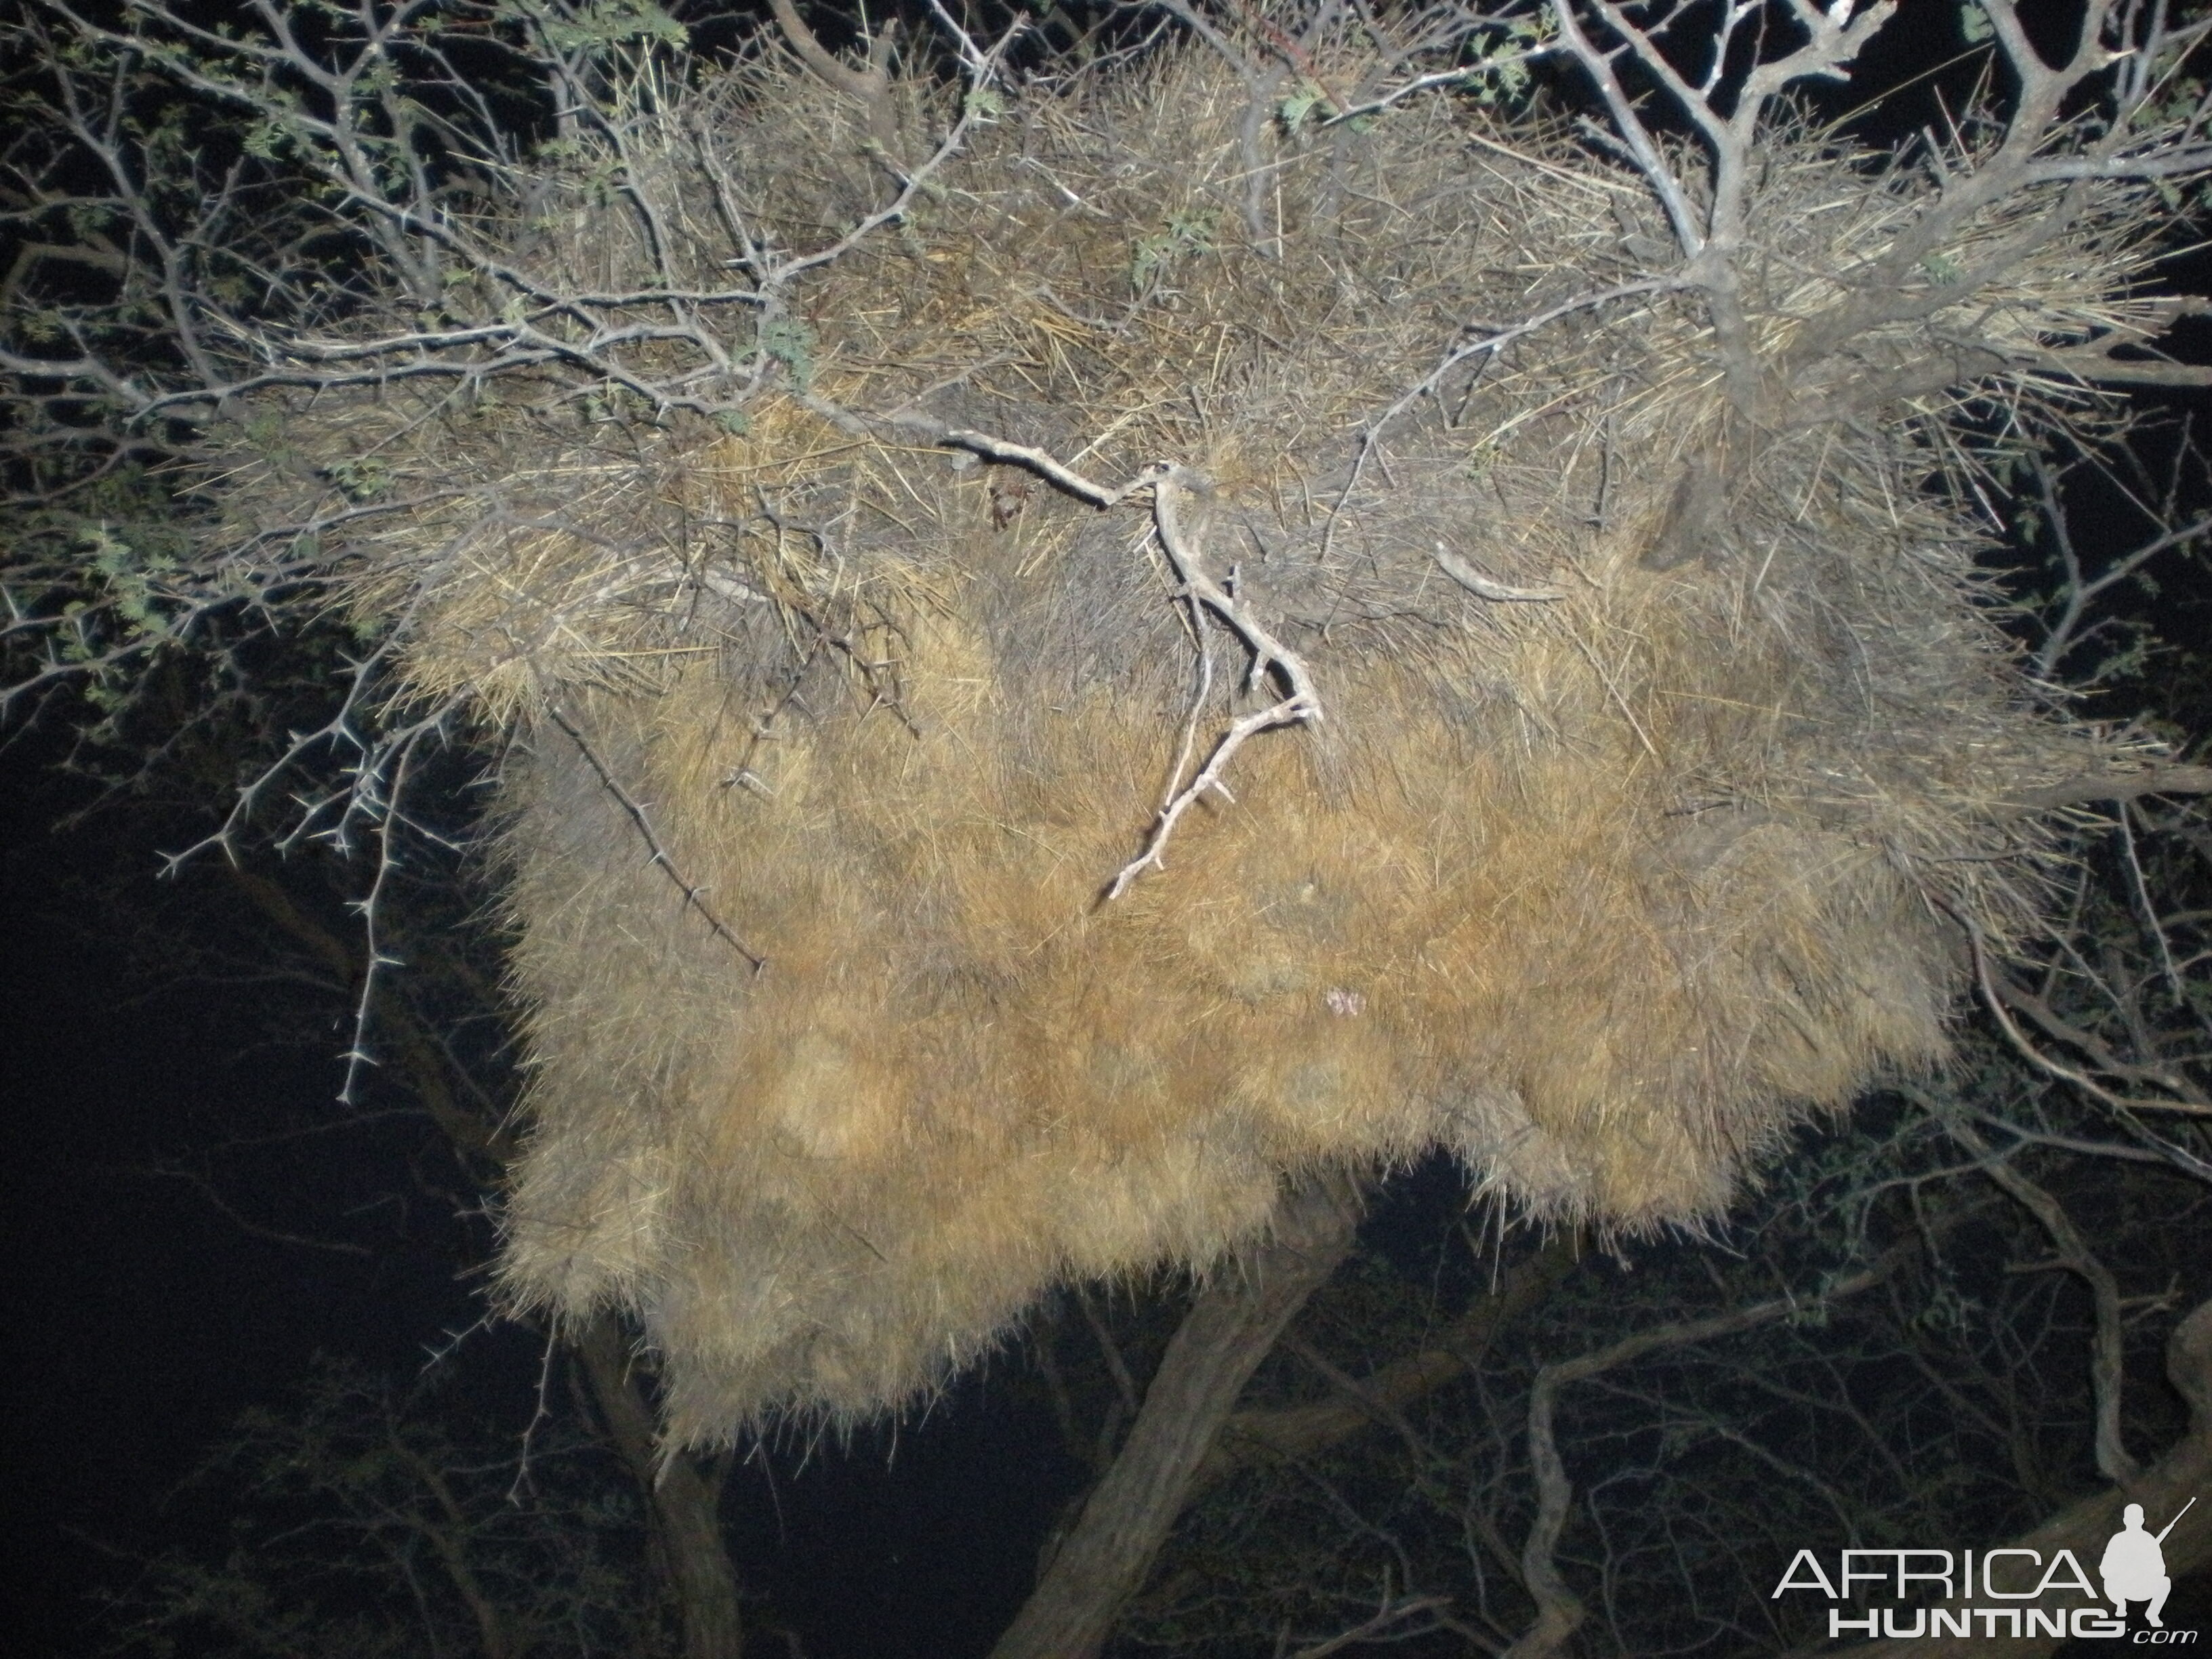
[1724, 79]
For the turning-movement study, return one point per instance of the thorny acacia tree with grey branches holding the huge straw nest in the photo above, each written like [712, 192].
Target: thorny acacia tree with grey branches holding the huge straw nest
[322, 202]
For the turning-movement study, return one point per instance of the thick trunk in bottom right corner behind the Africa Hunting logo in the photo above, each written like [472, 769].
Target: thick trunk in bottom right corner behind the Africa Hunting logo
[2162, 1490]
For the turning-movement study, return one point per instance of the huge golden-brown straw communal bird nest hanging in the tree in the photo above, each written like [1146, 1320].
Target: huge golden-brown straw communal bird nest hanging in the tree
[1600, 890]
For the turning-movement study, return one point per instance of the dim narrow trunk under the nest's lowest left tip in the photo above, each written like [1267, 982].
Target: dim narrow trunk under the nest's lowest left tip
[687, 1503]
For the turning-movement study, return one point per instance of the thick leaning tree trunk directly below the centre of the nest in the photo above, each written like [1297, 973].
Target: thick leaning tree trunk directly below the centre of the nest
[1227, 1335]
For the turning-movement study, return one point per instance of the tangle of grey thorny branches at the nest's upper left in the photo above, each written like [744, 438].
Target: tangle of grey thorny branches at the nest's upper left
[375, 140]
